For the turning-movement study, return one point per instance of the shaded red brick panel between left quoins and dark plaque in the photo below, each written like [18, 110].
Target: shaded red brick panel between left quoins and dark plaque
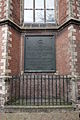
[14, 51]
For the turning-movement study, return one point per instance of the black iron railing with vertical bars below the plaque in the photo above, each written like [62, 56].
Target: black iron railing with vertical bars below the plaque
[38, 90]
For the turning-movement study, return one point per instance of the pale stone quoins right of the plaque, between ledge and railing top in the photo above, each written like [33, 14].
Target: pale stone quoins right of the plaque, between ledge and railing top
[72, 50]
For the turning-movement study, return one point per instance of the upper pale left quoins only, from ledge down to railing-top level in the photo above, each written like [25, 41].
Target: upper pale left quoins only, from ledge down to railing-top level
[6, 38]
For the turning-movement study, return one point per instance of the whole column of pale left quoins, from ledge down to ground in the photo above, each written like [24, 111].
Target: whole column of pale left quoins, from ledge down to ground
[6, 45]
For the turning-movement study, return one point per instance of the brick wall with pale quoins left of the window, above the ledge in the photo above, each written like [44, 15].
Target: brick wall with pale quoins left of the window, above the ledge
[10, 10]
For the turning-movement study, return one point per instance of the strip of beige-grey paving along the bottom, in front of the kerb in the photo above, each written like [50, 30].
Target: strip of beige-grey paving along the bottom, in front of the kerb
[41, 116]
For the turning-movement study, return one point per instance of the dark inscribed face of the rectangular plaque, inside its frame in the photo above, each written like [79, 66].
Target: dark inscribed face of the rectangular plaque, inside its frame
[39, 53]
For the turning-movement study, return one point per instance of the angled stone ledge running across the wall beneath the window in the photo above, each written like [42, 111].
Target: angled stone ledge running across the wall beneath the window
[55, 27]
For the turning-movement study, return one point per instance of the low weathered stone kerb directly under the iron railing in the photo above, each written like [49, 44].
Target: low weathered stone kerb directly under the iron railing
[29, 109]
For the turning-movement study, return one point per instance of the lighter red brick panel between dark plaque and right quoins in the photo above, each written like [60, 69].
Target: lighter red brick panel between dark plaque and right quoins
[62, 54]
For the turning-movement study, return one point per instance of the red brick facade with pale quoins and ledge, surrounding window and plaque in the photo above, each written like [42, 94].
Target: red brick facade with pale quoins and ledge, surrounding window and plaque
[67, 37]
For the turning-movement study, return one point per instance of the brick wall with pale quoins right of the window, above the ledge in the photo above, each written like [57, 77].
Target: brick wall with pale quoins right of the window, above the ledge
[68, 9]
